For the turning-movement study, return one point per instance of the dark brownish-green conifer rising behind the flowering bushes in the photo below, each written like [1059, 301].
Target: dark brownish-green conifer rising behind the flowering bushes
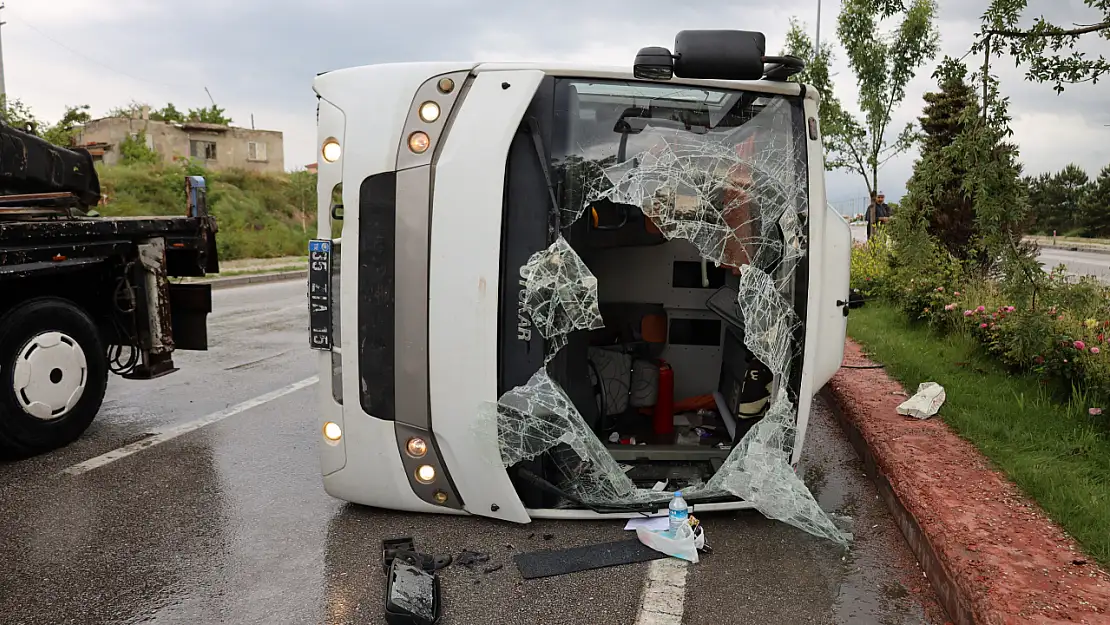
[935, 198]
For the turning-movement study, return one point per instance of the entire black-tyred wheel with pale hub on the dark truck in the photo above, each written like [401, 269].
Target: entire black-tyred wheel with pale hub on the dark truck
[54, 374]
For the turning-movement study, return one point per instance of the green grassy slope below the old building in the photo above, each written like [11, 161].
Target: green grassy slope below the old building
[259, 216]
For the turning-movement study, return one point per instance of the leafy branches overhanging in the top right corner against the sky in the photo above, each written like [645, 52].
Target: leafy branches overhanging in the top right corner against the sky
[1000, 35]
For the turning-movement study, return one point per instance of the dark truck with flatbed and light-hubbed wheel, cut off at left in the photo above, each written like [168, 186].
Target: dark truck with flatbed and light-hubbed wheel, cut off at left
[84, 296]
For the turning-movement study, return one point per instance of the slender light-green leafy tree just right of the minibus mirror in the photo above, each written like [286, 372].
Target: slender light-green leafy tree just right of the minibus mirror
[884, 65]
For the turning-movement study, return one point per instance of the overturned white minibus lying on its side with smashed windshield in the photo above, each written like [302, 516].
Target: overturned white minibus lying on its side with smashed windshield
[556, 291]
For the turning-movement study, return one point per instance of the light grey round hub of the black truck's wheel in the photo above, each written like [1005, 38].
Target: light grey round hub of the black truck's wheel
[51, 376]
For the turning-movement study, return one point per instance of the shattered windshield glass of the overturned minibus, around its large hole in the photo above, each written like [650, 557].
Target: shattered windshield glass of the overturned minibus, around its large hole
[725, 172]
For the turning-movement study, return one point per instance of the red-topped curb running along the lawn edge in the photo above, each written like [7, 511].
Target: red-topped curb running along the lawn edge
[991, 553]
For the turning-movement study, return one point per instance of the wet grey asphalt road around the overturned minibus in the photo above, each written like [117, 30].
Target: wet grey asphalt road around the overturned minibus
[229, 523]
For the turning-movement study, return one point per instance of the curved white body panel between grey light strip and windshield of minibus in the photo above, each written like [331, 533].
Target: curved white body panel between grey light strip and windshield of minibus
[463, 286]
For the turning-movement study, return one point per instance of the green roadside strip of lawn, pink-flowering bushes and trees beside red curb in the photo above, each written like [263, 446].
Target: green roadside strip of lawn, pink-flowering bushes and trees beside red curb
[956, 295]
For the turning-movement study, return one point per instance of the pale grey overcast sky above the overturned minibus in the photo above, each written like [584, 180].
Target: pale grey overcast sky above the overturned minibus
[259, 57]
